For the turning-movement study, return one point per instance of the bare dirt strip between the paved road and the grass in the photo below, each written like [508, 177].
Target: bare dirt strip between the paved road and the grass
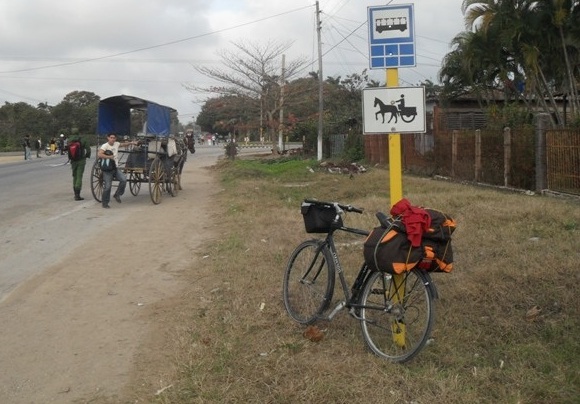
[93, 326]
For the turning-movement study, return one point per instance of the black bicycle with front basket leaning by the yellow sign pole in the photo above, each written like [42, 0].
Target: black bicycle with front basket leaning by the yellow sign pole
[396, 312]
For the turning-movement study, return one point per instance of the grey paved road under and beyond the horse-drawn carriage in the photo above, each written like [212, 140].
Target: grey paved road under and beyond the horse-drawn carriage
[40, 223]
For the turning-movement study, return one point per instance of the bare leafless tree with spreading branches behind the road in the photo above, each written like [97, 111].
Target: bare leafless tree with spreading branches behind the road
[252, 71]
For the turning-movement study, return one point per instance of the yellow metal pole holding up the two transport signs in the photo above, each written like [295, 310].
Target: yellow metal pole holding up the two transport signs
[396, 192]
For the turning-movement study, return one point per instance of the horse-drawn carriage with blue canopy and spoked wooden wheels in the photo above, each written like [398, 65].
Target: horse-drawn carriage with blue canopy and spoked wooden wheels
[158, 158]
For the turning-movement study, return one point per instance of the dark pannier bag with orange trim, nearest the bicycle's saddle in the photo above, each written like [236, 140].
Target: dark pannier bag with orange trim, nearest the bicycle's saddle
[389, 250]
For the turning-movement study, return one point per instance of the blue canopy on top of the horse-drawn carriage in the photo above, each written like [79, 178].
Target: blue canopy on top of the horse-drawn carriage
[114, 116]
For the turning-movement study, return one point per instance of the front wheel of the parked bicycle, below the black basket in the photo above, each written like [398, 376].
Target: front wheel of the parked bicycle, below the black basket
[308, 281]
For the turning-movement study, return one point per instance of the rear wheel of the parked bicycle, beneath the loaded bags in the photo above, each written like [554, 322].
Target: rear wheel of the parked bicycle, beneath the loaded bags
[397, 314]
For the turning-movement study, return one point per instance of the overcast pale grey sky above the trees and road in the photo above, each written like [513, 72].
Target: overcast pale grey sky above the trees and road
[147, 48]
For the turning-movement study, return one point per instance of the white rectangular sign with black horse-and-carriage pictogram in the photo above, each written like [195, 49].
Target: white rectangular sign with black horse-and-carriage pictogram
[394, 110]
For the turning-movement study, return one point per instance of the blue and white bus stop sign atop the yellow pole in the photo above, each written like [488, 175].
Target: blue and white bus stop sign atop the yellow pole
[391, 36]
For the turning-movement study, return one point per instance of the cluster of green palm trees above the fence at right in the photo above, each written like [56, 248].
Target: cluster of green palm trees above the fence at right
[508, 42]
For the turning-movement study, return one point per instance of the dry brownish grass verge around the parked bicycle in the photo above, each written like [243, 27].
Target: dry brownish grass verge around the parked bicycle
[235, 343]
